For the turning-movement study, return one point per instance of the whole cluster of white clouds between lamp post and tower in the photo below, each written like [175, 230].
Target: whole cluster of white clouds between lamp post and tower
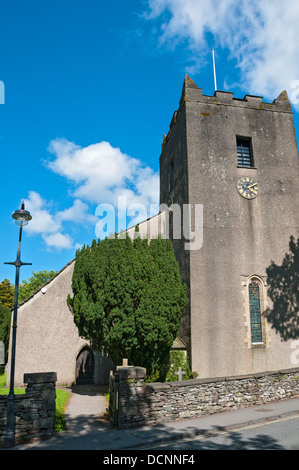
[99, 174]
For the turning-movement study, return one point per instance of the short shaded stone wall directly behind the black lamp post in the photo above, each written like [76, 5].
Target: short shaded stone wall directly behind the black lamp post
[34, 411]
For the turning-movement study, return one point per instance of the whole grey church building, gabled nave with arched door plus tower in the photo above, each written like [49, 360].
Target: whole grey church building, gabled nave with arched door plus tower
[234, 163]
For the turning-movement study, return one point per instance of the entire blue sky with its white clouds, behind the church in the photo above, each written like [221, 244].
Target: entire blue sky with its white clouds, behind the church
[90, 89]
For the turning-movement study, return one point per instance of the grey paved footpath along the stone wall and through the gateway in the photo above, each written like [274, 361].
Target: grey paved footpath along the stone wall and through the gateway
[89, 430]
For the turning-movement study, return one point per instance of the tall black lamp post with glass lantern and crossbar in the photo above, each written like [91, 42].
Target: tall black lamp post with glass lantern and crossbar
[22, 218]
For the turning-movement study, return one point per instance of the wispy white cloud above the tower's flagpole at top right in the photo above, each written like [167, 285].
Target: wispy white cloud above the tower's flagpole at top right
[262, 36]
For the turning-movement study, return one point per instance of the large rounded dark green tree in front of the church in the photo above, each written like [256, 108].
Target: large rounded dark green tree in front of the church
[128, 299]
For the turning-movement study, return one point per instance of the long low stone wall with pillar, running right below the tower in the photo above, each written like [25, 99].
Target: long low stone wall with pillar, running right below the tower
[140, 403]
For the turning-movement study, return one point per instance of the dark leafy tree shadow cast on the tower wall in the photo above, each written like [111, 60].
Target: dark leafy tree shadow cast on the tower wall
[283, 290]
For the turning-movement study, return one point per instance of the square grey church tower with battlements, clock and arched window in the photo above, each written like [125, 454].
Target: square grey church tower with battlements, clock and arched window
[238, 158]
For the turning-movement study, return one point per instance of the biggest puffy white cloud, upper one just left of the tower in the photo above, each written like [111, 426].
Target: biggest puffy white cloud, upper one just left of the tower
[101, 173]
